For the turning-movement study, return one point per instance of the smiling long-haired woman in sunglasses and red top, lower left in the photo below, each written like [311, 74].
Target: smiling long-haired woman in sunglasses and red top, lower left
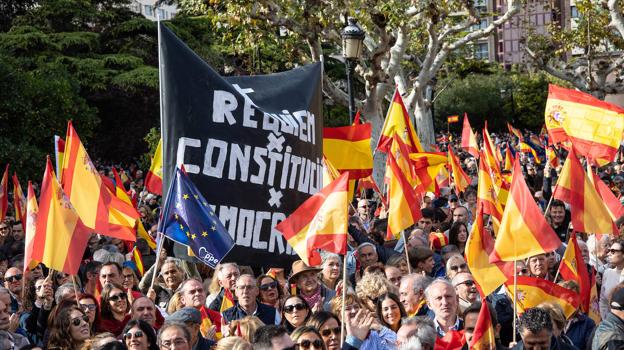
[115, 308]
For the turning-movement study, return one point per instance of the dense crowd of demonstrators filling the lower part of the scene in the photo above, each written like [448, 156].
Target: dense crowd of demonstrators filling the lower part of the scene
[397, 294]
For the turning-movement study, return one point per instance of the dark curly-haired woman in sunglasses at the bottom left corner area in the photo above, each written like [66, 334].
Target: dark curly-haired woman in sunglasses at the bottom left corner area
[69, 329]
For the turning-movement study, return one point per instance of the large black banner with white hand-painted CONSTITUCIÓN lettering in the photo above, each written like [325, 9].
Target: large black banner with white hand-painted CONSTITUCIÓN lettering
[252, 145]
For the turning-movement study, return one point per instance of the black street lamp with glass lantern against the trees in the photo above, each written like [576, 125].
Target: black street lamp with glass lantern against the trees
[352, 44]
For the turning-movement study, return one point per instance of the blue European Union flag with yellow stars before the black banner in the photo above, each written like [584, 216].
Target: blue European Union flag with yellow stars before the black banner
[188, 219]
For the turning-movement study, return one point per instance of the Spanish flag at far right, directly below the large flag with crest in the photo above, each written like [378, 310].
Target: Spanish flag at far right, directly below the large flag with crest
[589, 213]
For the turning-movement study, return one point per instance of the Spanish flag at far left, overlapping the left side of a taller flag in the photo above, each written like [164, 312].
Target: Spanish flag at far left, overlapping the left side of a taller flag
[60, 236]
